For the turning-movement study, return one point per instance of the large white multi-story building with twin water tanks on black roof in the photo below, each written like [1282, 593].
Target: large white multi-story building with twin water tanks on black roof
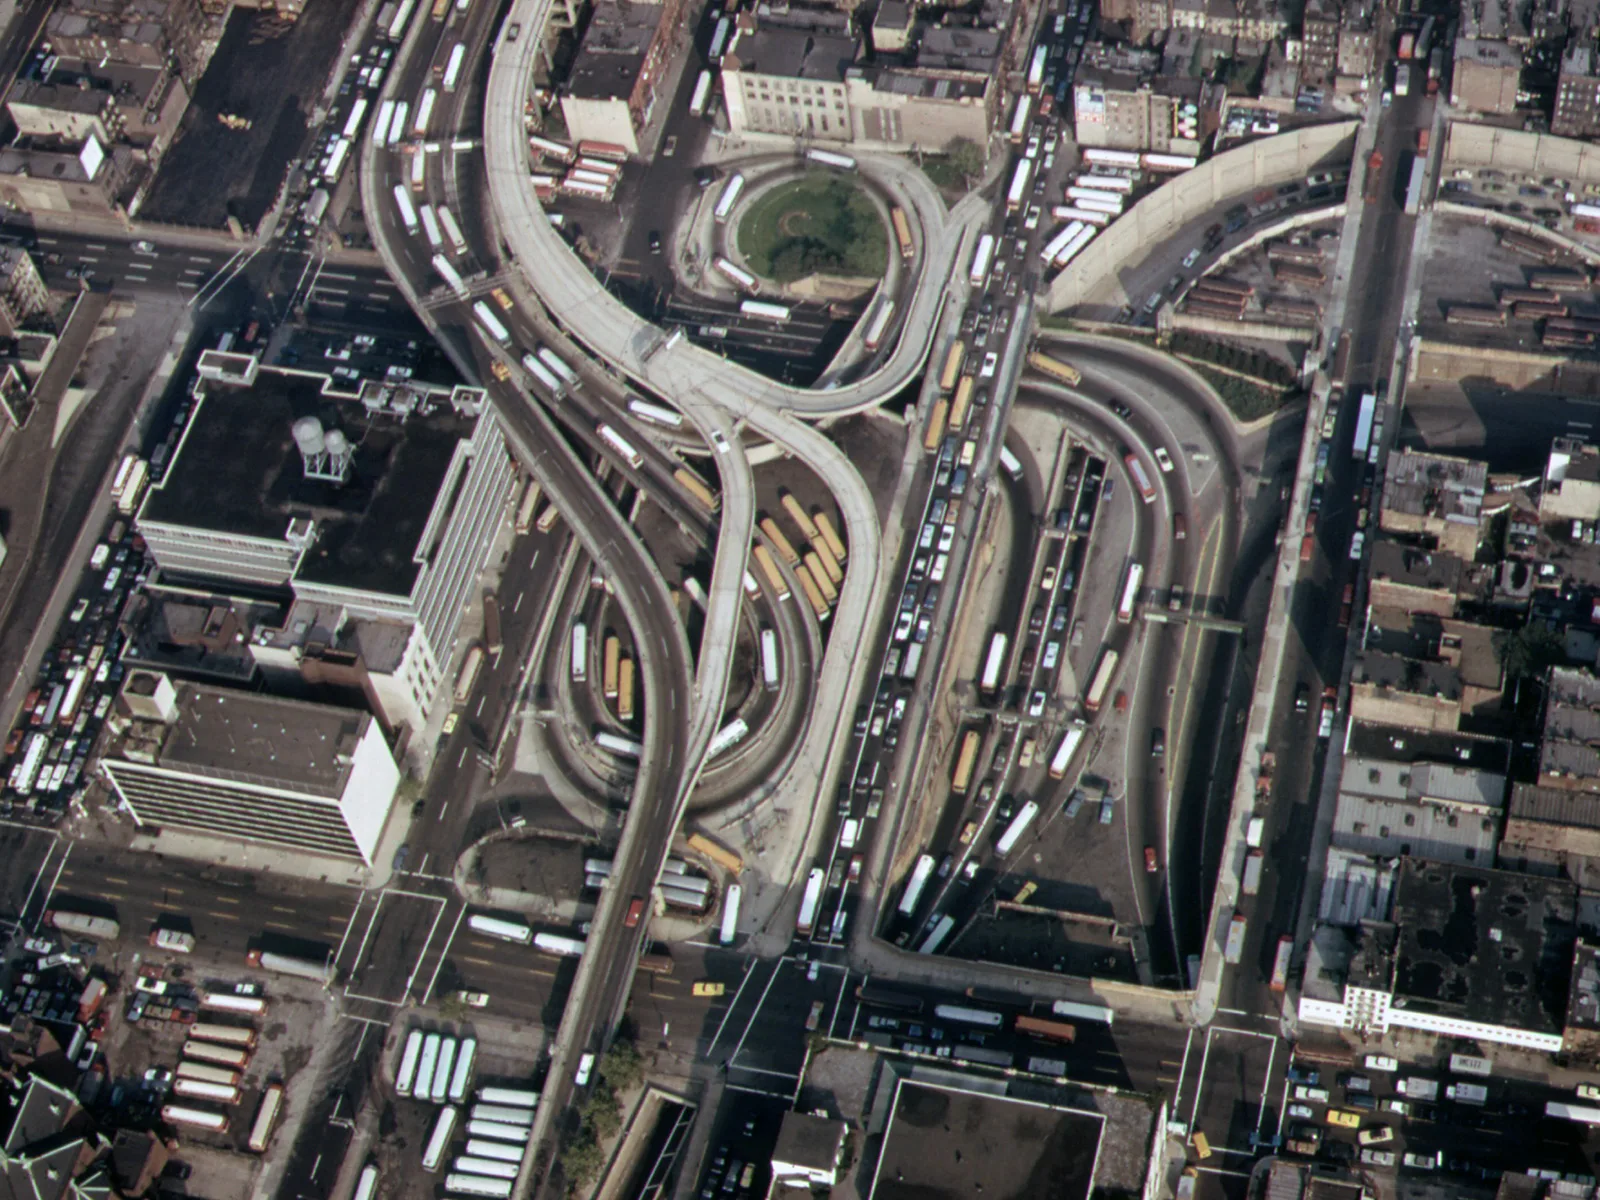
[374, 510]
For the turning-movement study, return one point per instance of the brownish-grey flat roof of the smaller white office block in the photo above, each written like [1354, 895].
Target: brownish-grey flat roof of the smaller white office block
[263, 740]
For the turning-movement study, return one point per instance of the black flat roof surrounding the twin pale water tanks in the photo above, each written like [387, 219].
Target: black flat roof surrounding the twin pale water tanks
[239, 471]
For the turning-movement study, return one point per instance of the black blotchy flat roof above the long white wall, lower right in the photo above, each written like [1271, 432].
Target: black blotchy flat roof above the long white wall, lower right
[1486, 946]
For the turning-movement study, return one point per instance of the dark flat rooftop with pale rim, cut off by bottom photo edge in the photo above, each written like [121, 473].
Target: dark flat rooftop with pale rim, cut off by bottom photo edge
[945, 1143]
